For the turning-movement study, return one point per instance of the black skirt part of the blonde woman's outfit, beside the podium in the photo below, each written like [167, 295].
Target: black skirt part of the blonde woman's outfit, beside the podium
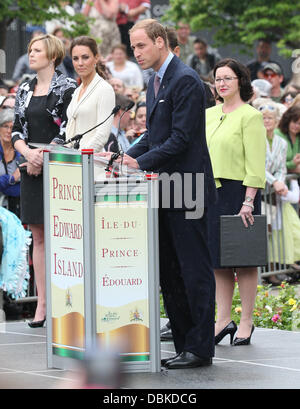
[31, 198]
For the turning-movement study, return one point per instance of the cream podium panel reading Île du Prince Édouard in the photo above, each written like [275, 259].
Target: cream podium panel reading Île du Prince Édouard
[122, 274]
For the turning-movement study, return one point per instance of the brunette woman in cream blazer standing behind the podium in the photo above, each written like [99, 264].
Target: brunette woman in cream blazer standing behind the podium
[93, 100]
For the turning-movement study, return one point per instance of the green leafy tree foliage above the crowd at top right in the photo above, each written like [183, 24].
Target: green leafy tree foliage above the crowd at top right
[243, 21]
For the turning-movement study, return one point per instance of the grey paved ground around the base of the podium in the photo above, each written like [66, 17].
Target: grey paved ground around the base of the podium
[272, 361]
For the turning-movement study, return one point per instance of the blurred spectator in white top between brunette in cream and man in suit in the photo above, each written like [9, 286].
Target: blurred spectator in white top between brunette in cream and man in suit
[128, 71]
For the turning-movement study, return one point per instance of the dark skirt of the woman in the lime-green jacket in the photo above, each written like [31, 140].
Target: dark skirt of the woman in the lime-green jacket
[231, 196]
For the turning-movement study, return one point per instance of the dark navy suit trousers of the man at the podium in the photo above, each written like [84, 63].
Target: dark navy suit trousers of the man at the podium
[187, 281]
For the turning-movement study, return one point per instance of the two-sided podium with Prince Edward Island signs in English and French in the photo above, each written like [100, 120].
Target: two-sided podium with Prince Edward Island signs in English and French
[101, 254]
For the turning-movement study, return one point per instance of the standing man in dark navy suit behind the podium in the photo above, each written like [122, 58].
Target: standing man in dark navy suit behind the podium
[175, 143]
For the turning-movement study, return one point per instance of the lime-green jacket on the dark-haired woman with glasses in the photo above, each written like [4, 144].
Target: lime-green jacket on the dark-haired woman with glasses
[237, 145]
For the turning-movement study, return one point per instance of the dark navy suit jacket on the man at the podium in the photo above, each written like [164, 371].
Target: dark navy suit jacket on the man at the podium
[175, 139]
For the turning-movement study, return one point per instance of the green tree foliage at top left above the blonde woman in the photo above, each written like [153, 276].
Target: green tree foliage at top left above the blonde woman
[37, 12]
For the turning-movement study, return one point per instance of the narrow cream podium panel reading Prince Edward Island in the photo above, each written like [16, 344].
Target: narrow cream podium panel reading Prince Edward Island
[66, 254]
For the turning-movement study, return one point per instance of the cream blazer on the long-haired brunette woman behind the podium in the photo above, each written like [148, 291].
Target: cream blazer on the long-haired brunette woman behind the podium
[93, 107]
